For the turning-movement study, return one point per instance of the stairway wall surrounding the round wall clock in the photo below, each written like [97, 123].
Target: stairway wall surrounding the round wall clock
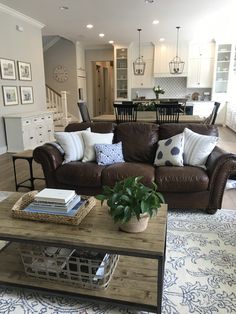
[63, 53]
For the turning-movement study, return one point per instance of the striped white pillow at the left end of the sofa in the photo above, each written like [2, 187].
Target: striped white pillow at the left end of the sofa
[72, 143]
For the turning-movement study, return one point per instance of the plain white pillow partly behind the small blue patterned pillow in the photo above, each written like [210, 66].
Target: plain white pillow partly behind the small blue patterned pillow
[90, 139]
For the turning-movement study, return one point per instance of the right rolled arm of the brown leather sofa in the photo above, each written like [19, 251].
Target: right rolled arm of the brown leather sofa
[220, 165]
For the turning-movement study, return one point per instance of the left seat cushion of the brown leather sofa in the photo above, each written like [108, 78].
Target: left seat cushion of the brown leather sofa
[80, 174]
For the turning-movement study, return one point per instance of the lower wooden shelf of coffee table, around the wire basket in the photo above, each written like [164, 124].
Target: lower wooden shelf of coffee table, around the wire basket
[129, 284]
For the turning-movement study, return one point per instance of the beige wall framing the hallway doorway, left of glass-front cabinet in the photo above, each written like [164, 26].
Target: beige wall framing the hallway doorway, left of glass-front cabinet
[95, 55]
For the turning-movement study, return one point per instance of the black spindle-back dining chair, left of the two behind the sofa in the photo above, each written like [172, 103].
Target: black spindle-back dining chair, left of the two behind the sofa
[125, 112]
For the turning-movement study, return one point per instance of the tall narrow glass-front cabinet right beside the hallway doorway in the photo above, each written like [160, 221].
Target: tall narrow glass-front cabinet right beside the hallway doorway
[121, 73]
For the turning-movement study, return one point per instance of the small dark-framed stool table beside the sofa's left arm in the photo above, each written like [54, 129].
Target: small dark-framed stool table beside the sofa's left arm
[28, 156]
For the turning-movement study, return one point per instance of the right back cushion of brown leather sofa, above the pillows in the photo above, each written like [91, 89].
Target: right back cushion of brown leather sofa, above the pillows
[170, 129]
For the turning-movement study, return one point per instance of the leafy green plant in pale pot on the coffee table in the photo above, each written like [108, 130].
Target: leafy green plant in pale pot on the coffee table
[131, 203]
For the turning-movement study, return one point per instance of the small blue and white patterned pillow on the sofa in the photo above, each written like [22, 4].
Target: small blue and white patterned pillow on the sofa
[108, 154]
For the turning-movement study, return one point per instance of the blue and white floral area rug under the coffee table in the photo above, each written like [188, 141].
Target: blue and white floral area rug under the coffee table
[200, 274]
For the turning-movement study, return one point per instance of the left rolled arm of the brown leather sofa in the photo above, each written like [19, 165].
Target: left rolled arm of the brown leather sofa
[50, 159]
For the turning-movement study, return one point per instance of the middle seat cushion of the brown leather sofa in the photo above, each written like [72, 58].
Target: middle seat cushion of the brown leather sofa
[113, 173]
